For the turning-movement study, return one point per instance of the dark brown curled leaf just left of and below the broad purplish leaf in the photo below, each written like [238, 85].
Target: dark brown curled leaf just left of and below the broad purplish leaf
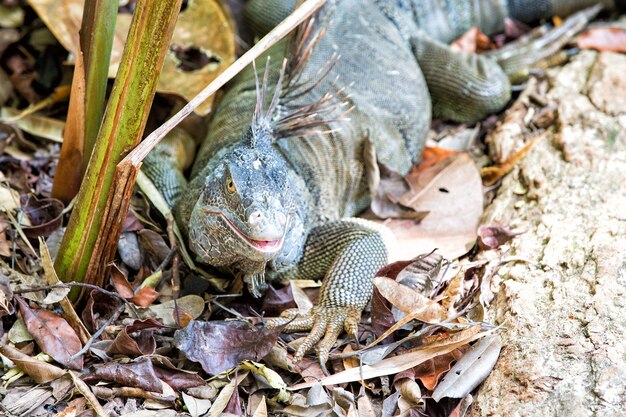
[139, 374]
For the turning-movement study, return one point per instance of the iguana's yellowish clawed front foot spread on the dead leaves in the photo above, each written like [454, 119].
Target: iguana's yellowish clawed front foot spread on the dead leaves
[325, 324]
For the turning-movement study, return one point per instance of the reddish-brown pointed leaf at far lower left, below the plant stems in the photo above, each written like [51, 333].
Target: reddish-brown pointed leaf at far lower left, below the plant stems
[53, 334]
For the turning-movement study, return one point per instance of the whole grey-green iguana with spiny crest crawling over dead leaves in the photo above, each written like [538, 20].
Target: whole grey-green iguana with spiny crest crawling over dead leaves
[281, 173]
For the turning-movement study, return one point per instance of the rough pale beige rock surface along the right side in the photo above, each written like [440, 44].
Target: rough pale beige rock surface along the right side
[564, 311]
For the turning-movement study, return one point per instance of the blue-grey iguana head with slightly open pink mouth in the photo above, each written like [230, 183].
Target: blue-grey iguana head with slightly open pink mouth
[244, 213]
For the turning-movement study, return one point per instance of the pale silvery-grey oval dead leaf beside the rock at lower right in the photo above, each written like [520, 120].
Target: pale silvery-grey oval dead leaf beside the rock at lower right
[470, 370]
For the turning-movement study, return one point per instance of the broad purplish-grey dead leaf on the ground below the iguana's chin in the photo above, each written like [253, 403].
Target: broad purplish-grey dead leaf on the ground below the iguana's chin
[219, 346]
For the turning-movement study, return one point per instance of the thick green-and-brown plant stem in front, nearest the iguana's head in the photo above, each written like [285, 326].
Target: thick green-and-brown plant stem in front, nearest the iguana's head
[124, 121]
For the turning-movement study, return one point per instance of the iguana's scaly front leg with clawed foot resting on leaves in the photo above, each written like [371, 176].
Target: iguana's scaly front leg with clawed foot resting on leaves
[346, 254]
